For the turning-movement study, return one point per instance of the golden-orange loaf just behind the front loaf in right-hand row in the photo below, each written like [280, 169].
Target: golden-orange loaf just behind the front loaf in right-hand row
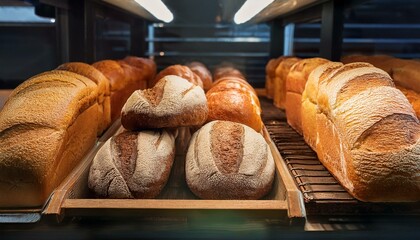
[295, 85]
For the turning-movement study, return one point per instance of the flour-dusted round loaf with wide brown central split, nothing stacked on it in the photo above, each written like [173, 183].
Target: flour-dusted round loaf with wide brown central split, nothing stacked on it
[227, 160]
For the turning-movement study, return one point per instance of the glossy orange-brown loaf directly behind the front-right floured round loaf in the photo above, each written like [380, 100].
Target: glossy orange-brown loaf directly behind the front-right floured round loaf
[232, 98]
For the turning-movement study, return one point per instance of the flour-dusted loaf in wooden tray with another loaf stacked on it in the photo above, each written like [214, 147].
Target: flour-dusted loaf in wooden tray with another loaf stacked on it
[133, 165]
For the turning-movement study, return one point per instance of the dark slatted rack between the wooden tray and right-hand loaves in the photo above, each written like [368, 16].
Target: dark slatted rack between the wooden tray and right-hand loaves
[322, 194]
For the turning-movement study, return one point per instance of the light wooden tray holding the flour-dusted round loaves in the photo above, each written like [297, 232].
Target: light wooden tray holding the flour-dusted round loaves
[73, 198]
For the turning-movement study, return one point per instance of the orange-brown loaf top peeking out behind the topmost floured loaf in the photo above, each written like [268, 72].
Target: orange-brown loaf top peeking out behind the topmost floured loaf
[180, 71]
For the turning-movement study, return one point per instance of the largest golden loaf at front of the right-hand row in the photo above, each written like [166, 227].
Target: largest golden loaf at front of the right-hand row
[368, 134]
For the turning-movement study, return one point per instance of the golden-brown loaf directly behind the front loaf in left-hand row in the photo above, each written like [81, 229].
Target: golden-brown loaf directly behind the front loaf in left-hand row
[102, 83]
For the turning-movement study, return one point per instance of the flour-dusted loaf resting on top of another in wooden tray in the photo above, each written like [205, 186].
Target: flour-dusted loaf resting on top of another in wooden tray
[172, 102]
